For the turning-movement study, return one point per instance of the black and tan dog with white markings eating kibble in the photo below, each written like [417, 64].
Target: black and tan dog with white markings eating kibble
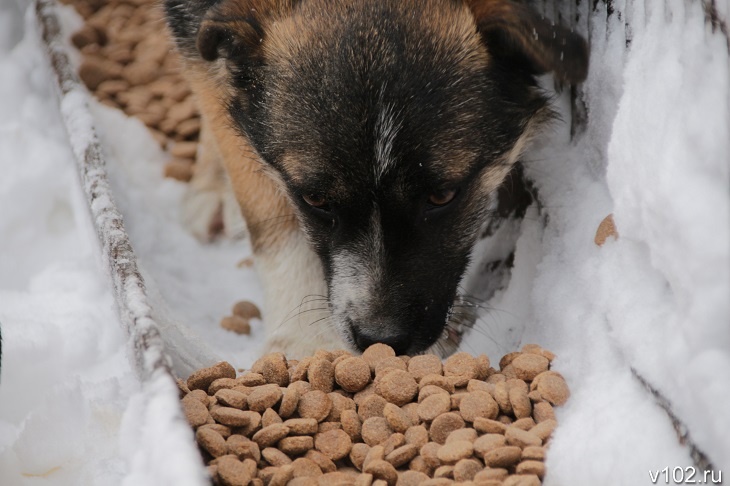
[366, 143]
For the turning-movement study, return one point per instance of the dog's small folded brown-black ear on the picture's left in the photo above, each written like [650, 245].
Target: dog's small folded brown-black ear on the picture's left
[235, 28]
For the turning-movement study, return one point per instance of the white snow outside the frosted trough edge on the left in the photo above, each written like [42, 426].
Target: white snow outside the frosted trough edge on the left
[72, 409]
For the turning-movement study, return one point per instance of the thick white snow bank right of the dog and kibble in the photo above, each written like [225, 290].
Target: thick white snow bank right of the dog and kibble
[656, 153]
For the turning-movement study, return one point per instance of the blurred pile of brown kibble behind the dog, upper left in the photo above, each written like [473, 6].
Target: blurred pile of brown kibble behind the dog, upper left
[129, 63]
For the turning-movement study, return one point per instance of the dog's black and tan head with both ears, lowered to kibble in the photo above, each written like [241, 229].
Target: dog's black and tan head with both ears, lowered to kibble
[389, 124]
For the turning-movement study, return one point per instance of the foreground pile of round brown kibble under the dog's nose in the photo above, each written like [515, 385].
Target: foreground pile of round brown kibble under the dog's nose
[377, 420]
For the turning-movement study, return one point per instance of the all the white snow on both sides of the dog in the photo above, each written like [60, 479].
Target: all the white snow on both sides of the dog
[655, 153]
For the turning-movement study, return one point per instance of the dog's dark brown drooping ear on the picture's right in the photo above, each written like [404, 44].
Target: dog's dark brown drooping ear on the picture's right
[517, 35]
